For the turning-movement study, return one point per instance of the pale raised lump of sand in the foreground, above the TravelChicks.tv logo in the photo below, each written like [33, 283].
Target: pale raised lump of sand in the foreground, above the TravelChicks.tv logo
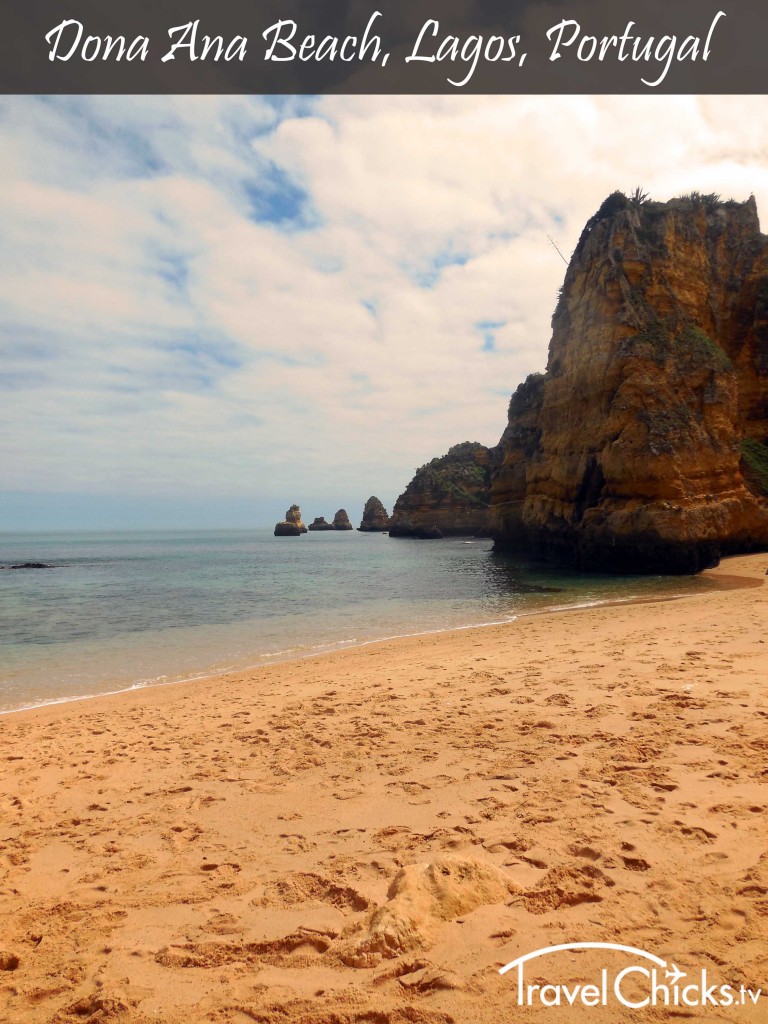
[421, 897]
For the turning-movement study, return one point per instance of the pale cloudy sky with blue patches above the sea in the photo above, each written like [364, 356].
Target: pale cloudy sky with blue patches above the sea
[214, 308]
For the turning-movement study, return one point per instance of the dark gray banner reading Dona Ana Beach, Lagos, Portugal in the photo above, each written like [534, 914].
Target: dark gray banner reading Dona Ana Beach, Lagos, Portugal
[364, 47]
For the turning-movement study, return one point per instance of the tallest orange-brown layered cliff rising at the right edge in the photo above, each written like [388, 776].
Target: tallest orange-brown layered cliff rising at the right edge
[644, 447]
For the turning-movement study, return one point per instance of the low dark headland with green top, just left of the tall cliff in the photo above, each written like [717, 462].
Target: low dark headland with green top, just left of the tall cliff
[450, 496]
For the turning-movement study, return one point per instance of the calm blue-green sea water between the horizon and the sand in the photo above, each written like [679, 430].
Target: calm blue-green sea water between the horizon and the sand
[121, 611]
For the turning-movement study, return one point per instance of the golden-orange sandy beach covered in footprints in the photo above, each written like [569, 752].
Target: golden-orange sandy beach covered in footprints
[369, 836]
